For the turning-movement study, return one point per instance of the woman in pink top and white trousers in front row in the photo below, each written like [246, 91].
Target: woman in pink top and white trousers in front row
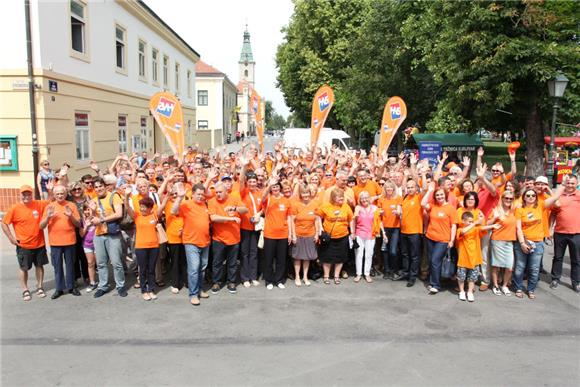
[366, 224]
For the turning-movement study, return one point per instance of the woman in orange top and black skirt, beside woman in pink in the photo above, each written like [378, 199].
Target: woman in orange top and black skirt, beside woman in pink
[336, 216]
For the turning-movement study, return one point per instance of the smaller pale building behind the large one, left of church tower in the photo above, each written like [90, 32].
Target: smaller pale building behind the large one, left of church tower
[216, 104]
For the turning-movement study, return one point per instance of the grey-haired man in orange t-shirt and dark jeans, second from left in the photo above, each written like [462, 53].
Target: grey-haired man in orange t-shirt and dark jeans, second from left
[62, 218]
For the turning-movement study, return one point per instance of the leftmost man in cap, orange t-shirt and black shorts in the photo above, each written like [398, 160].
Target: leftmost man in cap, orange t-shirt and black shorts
[28, 238]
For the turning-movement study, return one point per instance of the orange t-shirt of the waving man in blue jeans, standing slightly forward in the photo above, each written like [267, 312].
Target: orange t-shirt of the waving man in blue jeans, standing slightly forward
[195, 223]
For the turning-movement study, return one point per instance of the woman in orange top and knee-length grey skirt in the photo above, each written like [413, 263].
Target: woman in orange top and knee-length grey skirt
[305, 231]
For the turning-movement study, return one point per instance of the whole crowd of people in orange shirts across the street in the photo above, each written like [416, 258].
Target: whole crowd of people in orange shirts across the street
[215, 222]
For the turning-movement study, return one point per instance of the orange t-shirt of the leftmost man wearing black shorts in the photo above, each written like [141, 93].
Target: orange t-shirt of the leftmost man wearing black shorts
[26, 222]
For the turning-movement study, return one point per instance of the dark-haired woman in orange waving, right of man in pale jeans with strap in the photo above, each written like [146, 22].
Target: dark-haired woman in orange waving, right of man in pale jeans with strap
[146, 243]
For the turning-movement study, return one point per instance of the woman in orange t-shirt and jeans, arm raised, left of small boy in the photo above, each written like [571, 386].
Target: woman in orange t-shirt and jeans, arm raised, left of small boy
[440, 232]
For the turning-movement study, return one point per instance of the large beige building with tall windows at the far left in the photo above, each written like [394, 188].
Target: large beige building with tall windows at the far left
[94, 67]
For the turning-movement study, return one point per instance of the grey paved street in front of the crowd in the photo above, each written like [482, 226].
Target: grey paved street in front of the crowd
[352, 334]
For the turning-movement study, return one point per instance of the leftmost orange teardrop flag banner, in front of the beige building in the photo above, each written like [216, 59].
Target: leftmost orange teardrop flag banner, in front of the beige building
[166, 110]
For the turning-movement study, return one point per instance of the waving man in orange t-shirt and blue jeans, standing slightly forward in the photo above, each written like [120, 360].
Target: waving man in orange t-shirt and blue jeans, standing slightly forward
[195, 237]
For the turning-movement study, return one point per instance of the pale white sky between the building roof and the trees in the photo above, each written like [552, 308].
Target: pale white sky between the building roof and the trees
[215, 28]
